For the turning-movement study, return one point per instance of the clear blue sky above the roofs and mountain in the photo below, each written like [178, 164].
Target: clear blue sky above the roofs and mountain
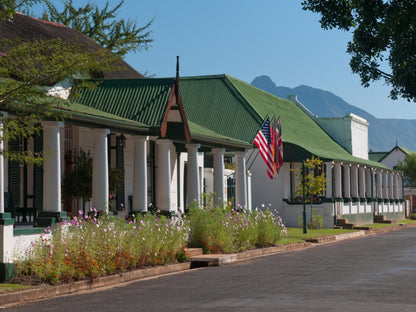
[246, 39]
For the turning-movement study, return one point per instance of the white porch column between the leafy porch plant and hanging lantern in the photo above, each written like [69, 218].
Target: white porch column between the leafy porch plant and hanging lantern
[100, 193]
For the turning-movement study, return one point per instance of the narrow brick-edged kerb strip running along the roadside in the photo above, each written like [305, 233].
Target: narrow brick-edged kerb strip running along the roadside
[47, 291]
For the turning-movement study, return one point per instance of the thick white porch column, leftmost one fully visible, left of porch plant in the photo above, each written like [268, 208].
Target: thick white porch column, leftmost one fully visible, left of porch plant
[52, 166]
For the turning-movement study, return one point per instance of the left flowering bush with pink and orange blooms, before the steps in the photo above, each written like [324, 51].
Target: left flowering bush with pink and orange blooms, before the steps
[89, 247]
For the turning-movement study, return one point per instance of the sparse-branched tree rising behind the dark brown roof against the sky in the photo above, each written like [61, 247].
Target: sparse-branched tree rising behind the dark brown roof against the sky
[117, 35]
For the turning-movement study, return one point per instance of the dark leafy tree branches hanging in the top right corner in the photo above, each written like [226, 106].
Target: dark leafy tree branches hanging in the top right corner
[383, 45]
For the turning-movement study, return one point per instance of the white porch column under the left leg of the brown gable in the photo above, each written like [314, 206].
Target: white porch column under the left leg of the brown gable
[163, 178]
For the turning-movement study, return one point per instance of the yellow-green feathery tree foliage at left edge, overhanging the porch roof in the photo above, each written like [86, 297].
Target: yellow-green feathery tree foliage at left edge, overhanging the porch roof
[28, 66]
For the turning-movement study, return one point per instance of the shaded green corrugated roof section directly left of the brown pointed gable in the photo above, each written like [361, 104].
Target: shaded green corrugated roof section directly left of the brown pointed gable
[140, 100]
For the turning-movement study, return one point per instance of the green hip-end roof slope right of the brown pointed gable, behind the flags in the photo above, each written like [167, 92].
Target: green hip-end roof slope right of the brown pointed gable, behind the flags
[217, 108]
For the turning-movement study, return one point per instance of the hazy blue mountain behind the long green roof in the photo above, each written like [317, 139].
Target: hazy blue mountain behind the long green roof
[382, 133]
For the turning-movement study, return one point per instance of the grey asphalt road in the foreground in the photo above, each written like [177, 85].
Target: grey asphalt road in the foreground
[375, 273]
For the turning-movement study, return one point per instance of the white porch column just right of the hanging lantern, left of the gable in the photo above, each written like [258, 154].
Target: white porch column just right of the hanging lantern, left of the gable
[140, 173]
